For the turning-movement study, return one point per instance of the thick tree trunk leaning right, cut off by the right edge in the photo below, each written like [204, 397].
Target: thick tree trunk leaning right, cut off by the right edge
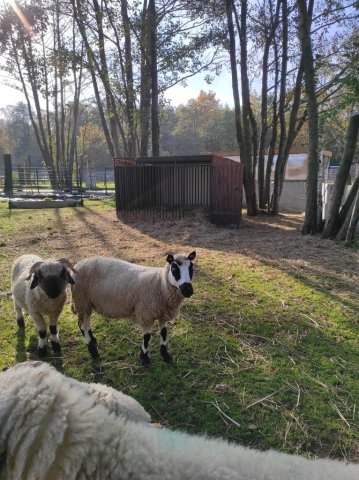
[332, 224]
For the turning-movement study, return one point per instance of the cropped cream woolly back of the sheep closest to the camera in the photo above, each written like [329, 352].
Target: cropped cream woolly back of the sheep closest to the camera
[53, 427]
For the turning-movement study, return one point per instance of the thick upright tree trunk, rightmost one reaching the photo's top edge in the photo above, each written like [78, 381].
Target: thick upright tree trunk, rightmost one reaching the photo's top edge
[310, 225]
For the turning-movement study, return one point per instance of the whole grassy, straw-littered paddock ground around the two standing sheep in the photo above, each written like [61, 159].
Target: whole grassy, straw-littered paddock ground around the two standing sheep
[266, 351]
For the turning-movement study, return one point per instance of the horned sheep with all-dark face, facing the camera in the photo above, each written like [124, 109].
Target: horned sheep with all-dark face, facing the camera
[39, 287]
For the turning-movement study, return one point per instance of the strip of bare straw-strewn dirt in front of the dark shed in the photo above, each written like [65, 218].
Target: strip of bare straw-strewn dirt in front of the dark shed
[272, 241]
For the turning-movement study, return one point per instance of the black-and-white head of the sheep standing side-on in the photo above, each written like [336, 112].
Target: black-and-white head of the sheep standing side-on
[181, 273]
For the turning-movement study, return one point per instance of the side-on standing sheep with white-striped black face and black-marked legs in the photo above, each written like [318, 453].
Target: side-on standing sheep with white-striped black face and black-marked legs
[116, 288]
